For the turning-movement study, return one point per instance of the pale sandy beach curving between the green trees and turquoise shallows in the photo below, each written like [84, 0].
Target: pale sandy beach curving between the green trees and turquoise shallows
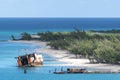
[70, 59]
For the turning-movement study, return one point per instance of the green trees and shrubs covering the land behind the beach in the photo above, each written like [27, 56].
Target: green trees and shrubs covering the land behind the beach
[97, 46]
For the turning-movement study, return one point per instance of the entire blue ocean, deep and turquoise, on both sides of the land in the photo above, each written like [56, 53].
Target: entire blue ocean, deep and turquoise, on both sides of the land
[9, 50]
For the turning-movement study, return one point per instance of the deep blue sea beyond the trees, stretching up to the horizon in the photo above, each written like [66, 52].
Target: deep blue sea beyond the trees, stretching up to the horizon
[15, 26]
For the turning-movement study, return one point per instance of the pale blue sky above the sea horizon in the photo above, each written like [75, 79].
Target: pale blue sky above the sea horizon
[59, 8]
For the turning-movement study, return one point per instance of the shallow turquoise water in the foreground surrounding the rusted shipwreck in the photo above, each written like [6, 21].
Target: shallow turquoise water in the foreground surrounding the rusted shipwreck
[9, 69]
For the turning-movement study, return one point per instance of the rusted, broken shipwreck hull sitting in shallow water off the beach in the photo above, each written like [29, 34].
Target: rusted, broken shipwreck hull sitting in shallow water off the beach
[30, 60]
